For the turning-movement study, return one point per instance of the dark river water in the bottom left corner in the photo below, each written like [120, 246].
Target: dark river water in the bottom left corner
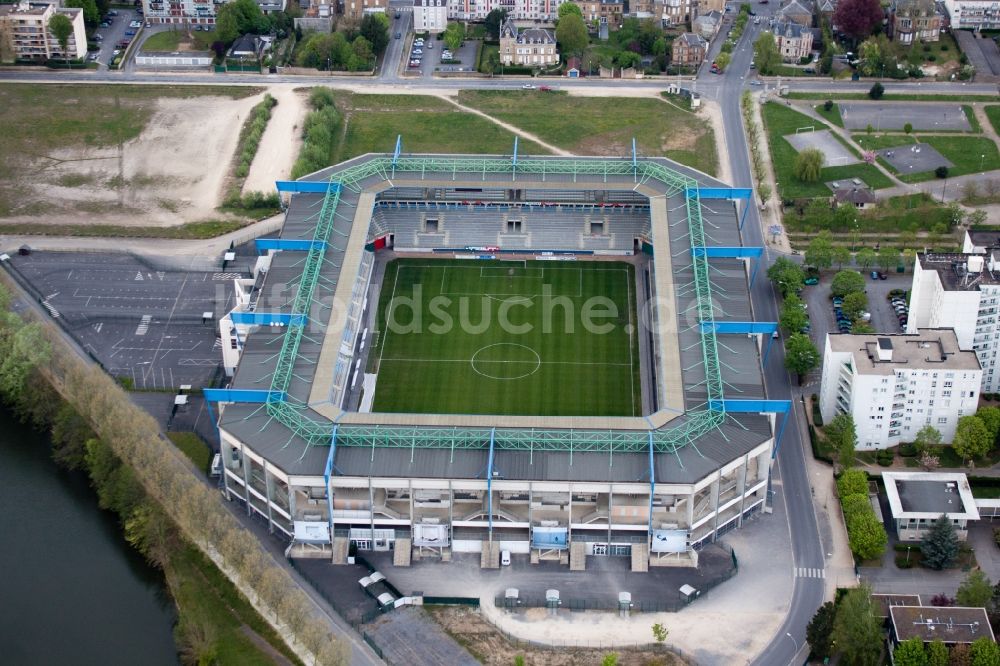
[72, 591]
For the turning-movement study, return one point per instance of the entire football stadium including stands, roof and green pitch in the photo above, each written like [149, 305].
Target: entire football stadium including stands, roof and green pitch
[553, 357]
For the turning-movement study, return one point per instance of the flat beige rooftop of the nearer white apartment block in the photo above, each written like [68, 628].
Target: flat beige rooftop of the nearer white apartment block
[929, 348]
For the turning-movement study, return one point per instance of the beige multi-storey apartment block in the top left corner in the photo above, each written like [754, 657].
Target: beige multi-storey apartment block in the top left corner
[24, 33]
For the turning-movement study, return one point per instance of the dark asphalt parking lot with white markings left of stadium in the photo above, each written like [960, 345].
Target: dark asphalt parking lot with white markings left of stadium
[142, 324]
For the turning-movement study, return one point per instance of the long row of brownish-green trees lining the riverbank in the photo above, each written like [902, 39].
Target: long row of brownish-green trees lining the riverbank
[33, 356]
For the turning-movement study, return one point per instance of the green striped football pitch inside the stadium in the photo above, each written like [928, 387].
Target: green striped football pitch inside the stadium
[526, 337]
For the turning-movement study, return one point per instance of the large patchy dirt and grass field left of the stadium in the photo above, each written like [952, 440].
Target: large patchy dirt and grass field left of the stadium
[130, 158]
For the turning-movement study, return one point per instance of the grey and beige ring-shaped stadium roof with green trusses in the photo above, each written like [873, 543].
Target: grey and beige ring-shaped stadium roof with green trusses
[689, 439]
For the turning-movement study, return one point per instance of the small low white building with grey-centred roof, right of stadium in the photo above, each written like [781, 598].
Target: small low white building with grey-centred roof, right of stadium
[918, 499]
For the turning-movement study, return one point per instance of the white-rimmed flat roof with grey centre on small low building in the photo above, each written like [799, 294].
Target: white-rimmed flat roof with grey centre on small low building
[929, 495]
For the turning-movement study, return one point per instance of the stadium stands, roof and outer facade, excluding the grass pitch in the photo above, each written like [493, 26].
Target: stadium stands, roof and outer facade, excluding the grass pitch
[300, 455]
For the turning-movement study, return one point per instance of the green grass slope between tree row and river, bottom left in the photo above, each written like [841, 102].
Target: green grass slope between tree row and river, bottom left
[221, 615]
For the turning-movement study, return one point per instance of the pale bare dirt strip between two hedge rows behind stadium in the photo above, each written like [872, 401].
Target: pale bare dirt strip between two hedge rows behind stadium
[281, 142]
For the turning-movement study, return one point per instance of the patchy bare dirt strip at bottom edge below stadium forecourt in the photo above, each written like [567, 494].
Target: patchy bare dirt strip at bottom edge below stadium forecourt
[491, 647]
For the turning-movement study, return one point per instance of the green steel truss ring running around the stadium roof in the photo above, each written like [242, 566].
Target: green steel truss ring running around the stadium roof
[304, 423]
